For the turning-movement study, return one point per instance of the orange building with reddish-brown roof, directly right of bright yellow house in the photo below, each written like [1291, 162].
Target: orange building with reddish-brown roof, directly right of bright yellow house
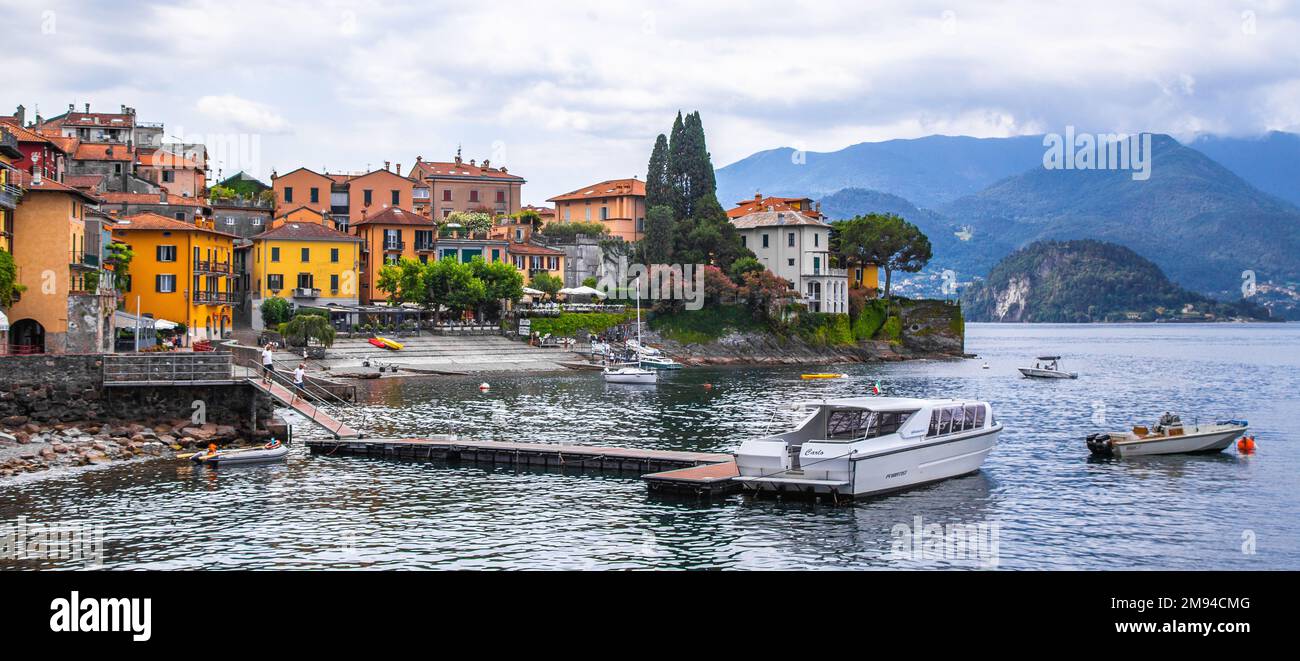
[388, 237]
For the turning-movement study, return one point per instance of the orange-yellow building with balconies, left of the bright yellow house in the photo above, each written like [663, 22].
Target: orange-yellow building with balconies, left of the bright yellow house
[181, 273]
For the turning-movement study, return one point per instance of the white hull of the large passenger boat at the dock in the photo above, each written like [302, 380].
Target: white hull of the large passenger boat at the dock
[885, 472]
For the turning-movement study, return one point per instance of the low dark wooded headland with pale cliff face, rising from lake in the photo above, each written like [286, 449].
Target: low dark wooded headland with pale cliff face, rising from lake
[1087, 282]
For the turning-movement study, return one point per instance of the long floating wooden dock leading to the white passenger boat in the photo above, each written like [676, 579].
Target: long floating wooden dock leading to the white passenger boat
[665, 472]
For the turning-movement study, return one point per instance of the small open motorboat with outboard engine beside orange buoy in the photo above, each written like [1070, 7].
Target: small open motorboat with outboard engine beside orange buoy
[1169, 437]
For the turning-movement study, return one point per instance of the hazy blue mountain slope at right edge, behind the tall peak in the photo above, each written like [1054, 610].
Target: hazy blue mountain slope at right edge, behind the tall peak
[1271, 162]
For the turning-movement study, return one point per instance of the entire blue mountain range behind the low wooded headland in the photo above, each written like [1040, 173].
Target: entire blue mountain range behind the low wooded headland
[1210, 211]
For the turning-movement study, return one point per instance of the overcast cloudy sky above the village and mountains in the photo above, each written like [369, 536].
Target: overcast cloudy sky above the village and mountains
[570, 93]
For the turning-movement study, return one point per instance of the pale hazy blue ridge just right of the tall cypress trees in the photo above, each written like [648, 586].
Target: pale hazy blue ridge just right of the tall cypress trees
[928, 171]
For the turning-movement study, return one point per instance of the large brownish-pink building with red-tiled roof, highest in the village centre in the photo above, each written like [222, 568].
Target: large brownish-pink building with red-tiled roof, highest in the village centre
[469, 187]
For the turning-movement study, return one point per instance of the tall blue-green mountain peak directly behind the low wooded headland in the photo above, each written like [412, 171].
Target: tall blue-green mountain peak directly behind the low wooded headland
[1201, 223]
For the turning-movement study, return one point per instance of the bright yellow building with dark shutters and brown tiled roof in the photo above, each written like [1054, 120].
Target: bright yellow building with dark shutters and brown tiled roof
[306, 263]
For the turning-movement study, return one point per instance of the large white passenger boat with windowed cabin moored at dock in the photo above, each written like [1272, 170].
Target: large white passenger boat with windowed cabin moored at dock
[864, 446]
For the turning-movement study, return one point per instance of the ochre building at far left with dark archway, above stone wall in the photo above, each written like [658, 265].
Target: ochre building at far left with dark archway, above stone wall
[67, 306]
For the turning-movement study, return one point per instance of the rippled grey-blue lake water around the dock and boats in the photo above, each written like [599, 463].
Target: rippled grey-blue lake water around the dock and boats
[1054, 507]
